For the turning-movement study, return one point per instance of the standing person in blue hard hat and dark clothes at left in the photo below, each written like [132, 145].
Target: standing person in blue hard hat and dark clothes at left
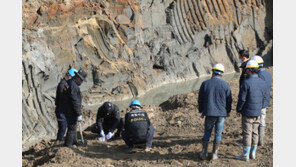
[61, 96]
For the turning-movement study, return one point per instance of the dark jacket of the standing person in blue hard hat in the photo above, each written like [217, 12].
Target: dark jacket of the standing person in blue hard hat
[61, 97]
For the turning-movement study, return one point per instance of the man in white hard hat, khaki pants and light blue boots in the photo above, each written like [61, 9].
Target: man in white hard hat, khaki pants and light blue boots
[251, 99]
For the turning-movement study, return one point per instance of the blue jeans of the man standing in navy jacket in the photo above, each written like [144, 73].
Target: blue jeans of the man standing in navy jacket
[210, 122]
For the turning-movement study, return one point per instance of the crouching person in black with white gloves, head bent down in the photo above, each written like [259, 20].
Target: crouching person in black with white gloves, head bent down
[108, 120]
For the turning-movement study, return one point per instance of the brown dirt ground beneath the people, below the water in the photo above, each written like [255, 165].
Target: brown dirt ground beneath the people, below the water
[177, 141]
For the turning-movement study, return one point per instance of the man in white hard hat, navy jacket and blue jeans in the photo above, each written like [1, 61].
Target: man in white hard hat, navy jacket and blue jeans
[214, 102]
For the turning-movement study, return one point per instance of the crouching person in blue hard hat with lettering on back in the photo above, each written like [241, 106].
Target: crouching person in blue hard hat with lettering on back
[137, 128]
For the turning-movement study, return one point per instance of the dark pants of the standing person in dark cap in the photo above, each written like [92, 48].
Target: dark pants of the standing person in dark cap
[71, 137]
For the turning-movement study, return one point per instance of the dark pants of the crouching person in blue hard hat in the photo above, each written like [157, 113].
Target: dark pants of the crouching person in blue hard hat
[130, 141]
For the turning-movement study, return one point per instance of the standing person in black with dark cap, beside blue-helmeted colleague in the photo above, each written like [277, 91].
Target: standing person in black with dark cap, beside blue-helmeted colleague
[73, 105]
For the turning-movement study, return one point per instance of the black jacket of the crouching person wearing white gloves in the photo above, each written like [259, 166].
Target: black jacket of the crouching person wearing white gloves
[110, 119]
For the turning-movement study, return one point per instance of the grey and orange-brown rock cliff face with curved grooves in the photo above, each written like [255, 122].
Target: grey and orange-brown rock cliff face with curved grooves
[128, 47]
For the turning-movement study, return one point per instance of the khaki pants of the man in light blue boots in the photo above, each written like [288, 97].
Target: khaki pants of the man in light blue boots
[250, 130]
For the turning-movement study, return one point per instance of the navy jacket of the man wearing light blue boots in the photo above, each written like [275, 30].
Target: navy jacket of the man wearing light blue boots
[252, 96]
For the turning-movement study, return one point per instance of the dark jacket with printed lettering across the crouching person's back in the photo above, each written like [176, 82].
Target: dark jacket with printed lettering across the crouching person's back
[136, 124]
